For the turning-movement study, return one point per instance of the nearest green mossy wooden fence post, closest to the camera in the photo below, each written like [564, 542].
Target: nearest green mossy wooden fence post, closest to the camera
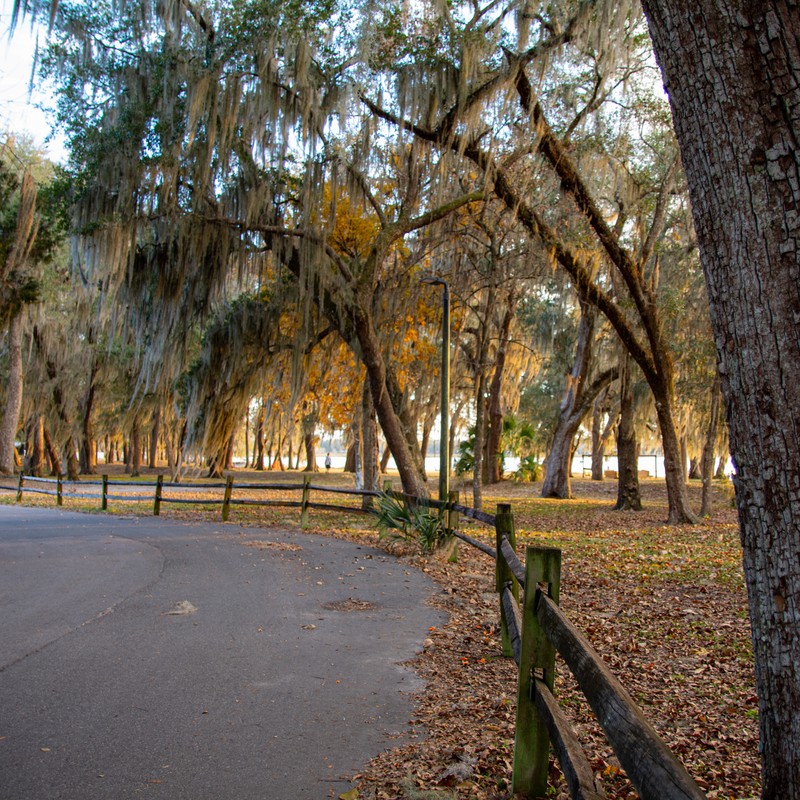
[537, 660]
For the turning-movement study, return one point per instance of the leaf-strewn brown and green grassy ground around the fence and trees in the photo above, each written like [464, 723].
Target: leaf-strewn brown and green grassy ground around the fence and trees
[665, 606]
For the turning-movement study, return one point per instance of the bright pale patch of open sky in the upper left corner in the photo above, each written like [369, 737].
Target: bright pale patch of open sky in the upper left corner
[18, 111]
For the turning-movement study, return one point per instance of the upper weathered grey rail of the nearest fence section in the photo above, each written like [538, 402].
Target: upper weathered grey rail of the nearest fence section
[652, 768]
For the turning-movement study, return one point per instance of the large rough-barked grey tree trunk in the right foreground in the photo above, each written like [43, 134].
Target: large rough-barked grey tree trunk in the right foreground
[732, 71]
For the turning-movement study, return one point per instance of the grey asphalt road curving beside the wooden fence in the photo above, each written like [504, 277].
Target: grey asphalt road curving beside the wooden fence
[143, 658]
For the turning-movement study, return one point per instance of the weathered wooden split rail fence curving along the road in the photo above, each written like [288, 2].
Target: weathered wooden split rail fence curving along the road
[533, 631]
